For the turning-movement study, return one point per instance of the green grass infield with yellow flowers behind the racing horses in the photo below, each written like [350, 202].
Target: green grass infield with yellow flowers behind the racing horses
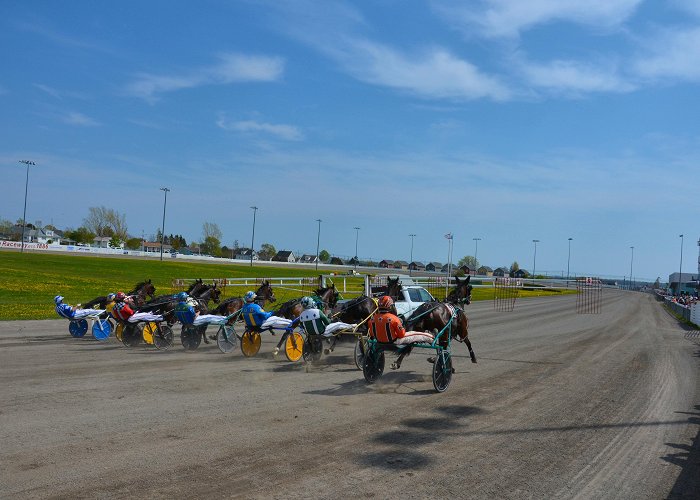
[29, 281]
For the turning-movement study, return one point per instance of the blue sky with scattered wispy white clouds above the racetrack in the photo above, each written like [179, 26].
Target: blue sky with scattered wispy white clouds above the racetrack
[503, 120]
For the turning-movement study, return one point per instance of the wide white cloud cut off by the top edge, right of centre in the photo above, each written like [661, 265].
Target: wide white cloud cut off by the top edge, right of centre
[508, 18]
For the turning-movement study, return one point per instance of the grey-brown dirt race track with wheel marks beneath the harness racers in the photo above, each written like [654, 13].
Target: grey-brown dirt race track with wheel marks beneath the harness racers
[559, 406]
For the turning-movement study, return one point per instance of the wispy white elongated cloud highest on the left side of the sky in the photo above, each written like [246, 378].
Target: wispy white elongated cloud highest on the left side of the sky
[231, 68]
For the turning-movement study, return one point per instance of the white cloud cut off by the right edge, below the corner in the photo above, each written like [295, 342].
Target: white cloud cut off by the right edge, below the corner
[673, 54]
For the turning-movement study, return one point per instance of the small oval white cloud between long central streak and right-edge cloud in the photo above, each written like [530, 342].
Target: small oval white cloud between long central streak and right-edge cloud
[574, 77]
